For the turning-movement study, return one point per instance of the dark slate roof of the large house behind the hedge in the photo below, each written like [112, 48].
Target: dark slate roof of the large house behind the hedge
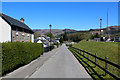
[14, 22]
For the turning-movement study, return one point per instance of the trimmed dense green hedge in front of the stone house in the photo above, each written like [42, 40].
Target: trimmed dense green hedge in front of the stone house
[17, 54]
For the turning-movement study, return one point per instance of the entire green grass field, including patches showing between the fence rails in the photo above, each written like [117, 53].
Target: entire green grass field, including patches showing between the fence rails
[103, 49]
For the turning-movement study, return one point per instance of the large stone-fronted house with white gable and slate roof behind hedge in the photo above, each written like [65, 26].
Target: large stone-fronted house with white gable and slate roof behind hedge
[12, 30]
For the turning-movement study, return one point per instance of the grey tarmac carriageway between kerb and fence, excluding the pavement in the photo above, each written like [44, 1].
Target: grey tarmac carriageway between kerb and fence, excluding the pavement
[61, 65]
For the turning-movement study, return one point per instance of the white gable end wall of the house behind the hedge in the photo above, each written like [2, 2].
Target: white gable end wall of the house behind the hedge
[5, 31]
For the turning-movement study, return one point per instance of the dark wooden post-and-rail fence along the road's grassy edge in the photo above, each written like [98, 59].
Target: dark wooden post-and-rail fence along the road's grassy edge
[95, 62]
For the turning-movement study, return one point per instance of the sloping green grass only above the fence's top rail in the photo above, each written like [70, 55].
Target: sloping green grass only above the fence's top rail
[103, 49]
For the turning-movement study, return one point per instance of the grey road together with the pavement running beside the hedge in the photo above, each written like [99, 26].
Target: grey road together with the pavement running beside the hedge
[58, 63]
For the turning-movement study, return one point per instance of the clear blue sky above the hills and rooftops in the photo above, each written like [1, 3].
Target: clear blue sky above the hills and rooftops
[63, 15]
